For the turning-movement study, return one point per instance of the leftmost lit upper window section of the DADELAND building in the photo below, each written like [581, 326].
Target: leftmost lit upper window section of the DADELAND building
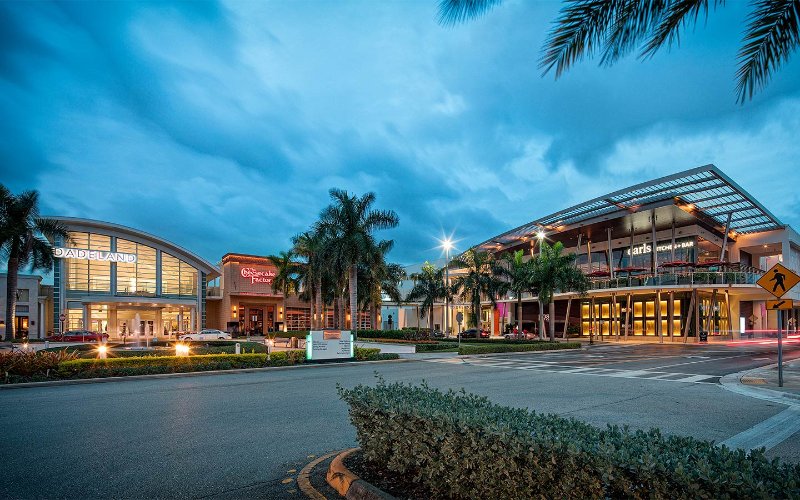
[89, 275]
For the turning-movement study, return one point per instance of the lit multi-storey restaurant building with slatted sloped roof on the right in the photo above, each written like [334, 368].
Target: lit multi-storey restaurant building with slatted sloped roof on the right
[666, 259]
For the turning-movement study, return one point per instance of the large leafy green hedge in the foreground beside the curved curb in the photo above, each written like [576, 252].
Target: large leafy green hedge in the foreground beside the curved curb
[459, 445]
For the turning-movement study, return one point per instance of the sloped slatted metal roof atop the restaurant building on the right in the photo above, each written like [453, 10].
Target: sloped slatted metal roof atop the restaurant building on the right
[705, 190]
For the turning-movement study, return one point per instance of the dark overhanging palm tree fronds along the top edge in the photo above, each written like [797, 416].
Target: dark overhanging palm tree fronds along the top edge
[615, 28]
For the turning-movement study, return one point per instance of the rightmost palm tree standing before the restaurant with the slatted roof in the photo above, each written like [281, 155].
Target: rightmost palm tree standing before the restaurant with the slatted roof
[553, 271]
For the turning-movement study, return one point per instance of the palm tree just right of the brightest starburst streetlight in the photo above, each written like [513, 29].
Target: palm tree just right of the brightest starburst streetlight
[480, 277]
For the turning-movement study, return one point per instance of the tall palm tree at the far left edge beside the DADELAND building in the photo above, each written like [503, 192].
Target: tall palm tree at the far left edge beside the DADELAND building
[24, 241]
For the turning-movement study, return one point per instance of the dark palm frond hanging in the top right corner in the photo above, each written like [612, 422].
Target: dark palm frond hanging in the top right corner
[770, 38]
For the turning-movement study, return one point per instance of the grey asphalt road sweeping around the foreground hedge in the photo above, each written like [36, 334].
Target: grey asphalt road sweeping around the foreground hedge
[247, 435]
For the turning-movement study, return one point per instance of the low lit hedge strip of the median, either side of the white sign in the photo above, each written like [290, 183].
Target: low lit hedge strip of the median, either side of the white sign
[64, 365]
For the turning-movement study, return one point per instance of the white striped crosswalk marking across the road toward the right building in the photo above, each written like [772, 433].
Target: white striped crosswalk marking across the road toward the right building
[554, 367]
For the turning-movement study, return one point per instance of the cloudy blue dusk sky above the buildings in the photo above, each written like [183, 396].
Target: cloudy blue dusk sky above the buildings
[221, 126]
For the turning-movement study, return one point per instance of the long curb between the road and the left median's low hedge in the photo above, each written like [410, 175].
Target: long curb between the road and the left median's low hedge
[130, 378]
